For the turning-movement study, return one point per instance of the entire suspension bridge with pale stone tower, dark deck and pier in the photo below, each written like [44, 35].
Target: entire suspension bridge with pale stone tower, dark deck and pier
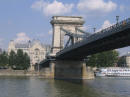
[67, 61]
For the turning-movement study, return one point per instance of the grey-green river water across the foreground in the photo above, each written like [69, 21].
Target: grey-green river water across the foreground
[37, 87]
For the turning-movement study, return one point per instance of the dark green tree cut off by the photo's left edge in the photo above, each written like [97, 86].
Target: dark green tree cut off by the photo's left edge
[4, 59]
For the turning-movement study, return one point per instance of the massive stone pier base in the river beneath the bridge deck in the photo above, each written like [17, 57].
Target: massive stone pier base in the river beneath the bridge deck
[70, 69]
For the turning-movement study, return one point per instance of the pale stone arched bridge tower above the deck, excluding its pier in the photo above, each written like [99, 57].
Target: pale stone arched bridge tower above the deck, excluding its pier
[70, 23]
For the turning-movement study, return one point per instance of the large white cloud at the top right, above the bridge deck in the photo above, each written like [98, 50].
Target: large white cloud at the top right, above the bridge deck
[99, 6]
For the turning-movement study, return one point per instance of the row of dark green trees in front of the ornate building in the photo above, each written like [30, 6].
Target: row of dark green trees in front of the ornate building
[14, 60]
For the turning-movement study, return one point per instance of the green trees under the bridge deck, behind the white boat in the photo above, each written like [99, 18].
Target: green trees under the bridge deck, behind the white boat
[104, 59]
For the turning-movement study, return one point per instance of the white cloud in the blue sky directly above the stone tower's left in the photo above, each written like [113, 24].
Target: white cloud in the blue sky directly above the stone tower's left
[52, 8]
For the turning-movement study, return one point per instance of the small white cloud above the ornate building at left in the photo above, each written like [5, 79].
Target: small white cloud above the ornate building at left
[22, 37]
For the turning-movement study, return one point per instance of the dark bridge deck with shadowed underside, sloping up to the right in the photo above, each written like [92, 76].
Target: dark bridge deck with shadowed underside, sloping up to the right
[116, 36]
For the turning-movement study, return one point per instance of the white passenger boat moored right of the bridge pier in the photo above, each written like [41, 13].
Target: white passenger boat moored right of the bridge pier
[113, 72]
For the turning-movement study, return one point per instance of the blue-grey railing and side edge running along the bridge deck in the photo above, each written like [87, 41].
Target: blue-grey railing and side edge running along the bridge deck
[104, 32]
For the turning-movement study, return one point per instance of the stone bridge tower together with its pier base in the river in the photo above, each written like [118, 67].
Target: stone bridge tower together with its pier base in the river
[66, 69]
